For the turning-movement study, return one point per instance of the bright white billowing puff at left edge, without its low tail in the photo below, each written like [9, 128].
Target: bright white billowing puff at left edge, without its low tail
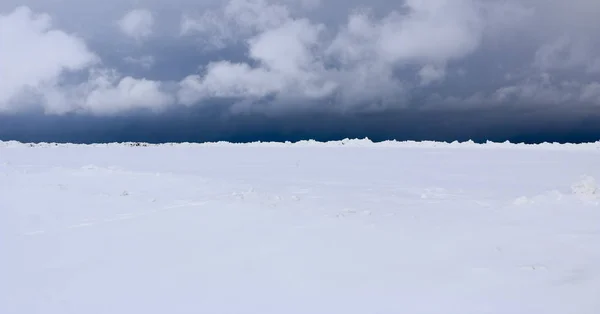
[35, 56]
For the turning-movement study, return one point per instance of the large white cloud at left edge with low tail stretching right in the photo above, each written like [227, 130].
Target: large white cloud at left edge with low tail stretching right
[36, 64]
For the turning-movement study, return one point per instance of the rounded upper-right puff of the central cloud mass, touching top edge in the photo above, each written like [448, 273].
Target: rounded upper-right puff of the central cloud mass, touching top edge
[432, 31]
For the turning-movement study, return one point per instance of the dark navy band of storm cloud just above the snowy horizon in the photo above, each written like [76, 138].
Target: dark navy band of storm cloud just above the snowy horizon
[515, 124]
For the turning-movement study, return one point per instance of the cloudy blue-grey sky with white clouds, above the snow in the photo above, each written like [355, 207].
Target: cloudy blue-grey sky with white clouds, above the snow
[298, 60]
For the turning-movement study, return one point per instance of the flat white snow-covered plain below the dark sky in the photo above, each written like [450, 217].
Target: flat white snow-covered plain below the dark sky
[344, 227]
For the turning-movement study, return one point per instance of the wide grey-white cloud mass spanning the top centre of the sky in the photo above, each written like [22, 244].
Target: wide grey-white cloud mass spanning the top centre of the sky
[294, 56]
